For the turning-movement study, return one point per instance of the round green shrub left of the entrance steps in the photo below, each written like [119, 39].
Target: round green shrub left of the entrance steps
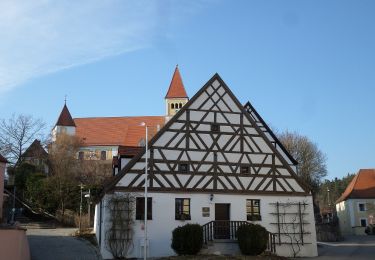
[188, 239]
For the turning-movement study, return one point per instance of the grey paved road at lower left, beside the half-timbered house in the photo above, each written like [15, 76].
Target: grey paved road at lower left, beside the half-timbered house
[58, 244]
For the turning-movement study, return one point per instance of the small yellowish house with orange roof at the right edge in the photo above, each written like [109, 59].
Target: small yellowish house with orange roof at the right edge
[356, 206]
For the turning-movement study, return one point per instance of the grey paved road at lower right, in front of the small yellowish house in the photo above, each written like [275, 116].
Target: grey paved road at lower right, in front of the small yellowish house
[352, 248]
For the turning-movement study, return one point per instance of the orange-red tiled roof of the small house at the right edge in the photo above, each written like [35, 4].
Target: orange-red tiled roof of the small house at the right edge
[362, 186]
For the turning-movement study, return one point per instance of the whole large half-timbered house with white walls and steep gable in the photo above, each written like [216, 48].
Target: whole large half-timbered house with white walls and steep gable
[215, 163]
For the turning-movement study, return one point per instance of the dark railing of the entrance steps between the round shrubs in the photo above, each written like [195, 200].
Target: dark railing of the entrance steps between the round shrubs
[226, 229]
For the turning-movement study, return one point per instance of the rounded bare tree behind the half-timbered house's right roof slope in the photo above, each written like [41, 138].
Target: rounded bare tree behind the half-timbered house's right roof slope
[311, 161]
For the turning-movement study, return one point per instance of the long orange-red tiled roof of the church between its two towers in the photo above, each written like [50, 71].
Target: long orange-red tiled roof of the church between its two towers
[126, 131]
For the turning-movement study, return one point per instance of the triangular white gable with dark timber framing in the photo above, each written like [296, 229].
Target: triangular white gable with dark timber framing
[213, 144]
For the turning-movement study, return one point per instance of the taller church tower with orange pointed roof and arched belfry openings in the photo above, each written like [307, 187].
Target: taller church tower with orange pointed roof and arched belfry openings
[176, 96]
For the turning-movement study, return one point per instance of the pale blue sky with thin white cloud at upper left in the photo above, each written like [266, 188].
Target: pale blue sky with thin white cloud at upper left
[306, 66]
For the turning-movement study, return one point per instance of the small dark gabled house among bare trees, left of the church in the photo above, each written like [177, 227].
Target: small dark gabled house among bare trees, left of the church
[37, 156]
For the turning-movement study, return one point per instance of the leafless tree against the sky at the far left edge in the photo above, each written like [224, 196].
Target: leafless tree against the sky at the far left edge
[17, 133]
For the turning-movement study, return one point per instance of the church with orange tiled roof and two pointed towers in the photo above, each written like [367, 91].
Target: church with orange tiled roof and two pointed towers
[105, 138]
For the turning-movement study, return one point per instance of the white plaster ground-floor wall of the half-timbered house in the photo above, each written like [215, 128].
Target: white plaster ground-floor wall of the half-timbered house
[163, 220]
